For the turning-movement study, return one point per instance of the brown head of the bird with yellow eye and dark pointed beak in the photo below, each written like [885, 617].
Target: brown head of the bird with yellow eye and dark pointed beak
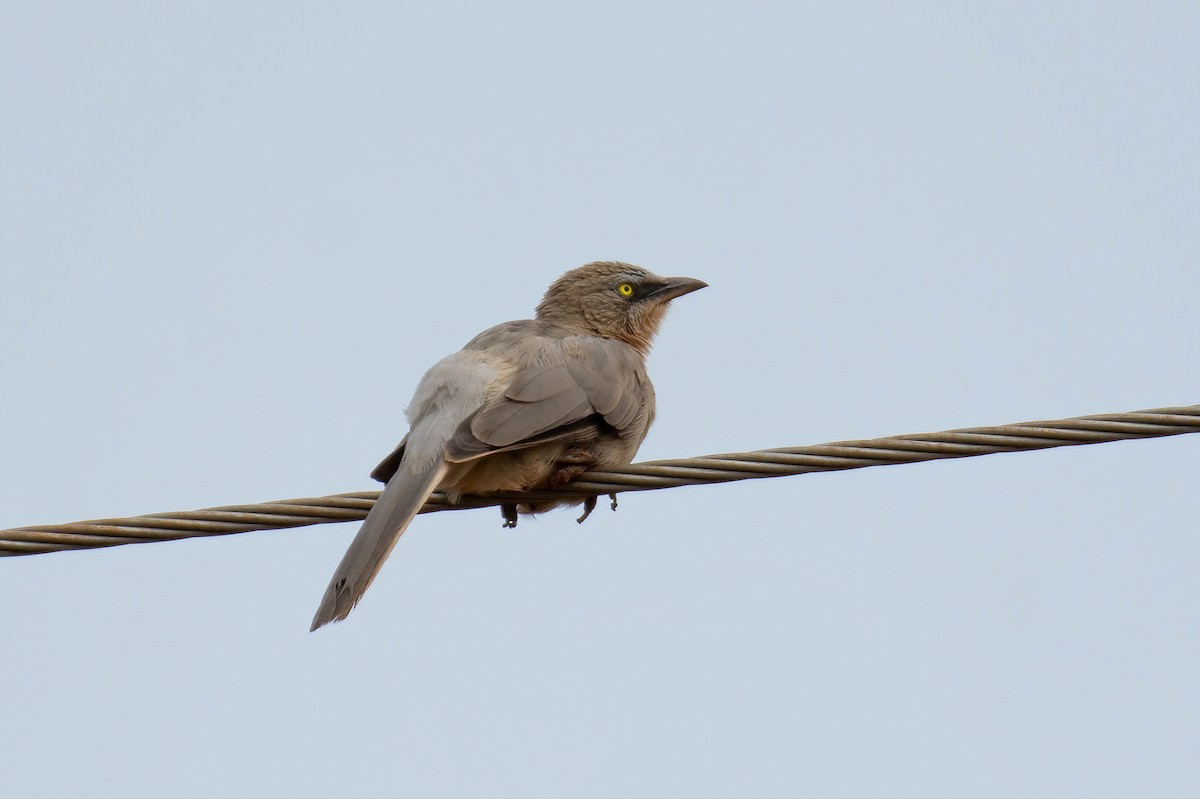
[614, 301]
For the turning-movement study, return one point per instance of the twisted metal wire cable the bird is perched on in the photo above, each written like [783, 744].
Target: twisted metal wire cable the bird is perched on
[638, 477]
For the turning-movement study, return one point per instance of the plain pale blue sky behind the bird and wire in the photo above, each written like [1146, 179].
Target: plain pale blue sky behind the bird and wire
[235, 236]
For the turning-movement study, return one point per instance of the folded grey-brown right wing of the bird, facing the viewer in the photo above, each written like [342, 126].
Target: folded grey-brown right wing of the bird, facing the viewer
[569, 394]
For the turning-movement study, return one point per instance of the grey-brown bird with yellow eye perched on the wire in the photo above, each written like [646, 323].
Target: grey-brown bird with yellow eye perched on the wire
[526, 405]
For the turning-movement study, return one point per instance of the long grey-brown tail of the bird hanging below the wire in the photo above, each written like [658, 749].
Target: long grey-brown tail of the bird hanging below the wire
[400, 502]
